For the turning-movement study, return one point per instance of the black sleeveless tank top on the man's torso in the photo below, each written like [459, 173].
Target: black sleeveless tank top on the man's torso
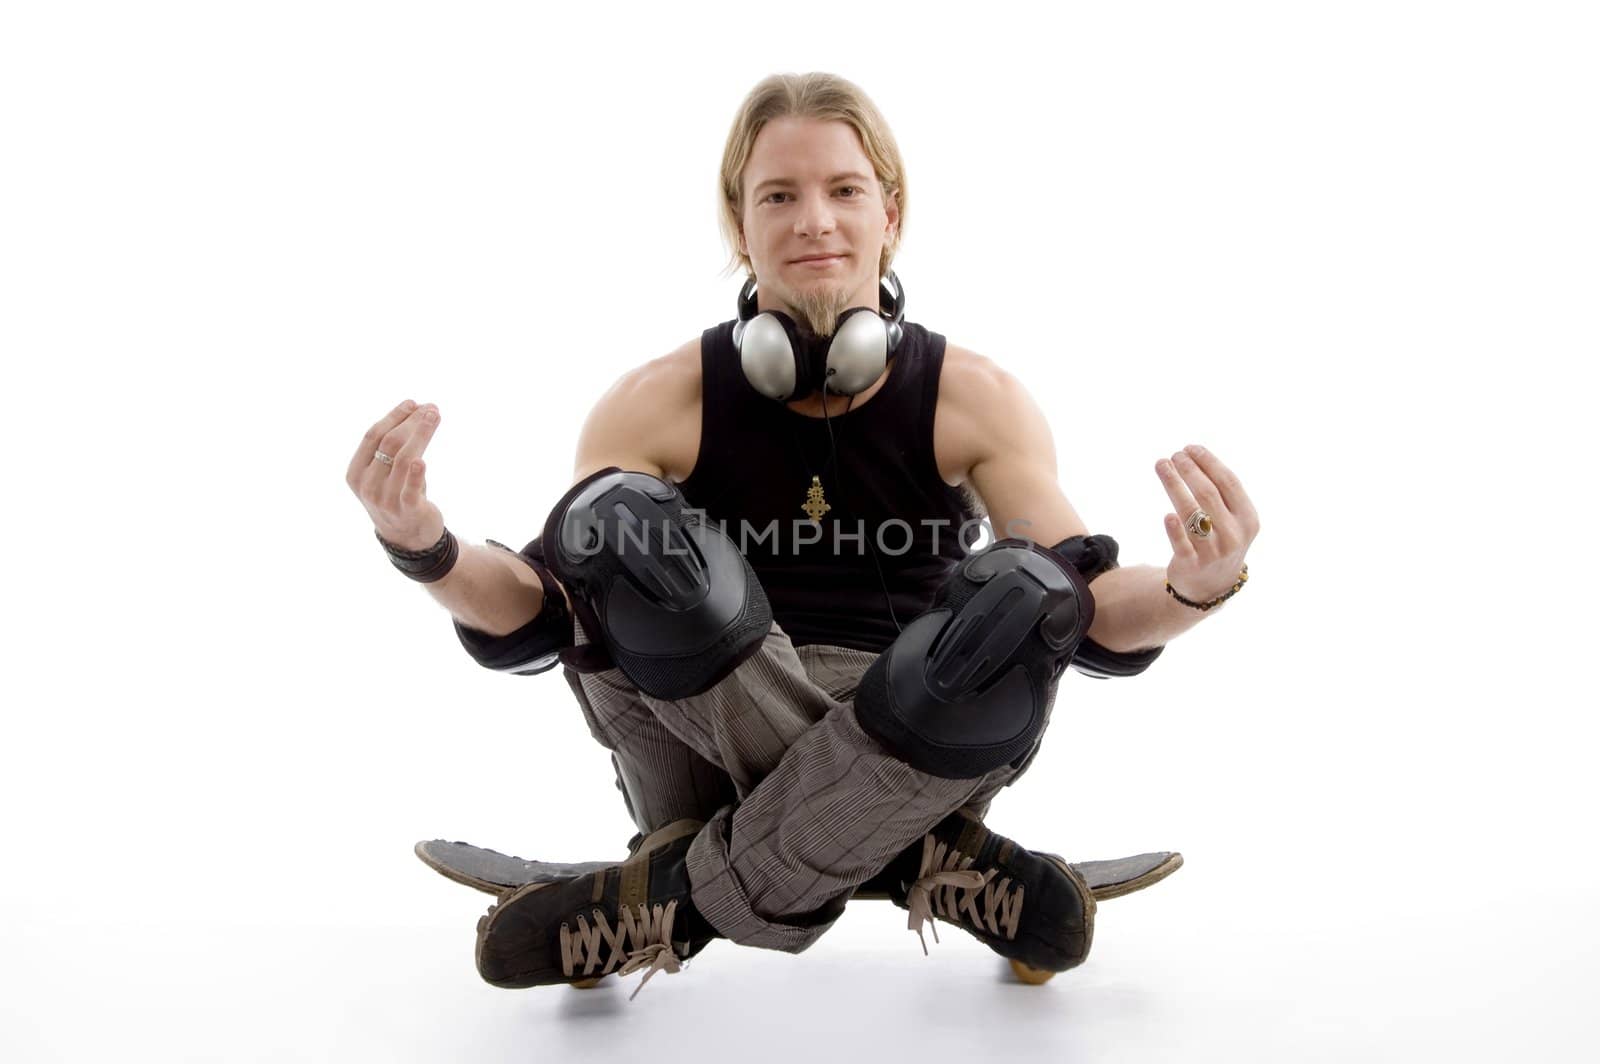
[754, 473]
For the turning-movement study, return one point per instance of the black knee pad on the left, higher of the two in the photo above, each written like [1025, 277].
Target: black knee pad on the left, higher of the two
[670, 596]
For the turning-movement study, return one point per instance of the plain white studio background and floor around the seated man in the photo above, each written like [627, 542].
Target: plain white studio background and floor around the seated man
[1348, 247]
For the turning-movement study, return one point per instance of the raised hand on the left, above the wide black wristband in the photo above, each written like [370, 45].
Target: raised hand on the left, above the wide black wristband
[396, 497]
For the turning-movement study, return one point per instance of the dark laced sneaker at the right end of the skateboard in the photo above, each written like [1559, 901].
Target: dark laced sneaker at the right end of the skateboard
[1031, 908]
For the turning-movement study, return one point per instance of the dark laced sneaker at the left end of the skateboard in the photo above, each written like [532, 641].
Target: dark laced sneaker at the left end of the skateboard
[628, 918]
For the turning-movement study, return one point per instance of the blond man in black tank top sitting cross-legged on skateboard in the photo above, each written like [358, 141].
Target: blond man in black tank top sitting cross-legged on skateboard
[782, 734]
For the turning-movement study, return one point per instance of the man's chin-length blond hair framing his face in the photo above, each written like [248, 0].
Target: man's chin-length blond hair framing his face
[826, 98]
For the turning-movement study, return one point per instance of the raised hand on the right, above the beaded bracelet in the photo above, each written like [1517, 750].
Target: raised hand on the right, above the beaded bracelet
[1204, 569]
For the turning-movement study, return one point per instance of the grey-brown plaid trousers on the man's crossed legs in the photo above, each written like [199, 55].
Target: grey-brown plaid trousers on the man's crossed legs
[801, 806]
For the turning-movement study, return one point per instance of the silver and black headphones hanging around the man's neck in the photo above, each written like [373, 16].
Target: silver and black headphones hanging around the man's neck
[783, 366]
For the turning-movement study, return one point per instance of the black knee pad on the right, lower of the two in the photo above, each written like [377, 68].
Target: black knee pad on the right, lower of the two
[966, 687]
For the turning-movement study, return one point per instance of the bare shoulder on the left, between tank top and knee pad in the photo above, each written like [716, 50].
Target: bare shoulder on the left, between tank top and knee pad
[649, 420]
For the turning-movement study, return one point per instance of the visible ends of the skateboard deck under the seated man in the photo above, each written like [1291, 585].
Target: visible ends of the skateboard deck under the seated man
[497, 873]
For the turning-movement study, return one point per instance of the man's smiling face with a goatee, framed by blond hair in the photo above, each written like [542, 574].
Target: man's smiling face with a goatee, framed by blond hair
[815, 222]
